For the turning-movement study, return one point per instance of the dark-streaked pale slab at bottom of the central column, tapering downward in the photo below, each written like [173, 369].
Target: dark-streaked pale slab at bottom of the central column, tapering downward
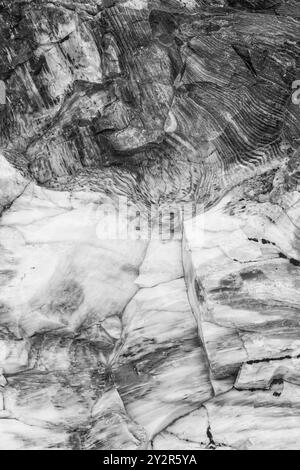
[173, 387]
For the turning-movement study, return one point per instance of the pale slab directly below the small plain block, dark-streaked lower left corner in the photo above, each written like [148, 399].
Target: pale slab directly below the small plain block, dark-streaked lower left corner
[157, 317]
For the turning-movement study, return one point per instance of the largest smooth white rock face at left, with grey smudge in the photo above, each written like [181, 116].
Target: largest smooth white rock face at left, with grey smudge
[65, 273]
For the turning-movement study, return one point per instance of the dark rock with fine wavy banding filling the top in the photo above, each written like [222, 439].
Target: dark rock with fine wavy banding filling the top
[194, 96]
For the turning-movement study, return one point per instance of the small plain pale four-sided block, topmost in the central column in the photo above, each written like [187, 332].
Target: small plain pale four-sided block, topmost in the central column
[163, 263]
